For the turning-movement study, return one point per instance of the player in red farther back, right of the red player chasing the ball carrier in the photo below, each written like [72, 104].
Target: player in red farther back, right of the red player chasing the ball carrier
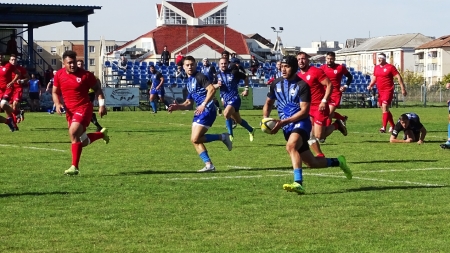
[335, 72]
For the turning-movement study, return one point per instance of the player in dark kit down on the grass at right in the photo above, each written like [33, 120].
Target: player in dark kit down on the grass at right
[413, 129]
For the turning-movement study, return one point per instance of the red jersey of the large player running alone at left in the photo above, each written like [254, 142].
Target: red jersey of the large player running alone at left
[75, 87]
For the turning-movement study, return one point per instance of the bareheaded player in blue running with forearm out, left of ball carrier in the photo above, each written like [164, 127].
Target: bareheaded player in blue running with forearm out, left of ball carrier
[201, 91]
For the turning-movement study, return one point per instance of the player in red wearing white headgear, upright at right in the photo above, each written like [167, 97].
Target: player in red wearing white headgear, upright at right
[383, 76]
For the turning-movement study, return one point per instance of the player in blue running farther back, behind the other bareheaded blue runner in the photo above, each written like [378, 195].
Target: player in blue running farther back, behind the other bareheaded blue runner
[228, 81]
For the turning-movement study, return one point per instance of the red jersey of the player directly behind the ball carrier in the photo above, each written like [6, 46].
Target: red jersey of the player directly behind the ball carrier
[313, 77]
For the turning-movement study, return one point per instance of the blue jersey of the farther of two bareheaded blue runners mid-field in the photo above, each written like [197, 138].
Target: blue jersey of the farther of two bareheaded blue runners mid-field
[230, 84]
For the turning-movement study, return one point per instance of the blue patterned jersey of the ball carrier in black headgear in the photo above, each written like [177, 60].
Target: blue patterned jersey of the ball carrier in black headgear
[289, 94]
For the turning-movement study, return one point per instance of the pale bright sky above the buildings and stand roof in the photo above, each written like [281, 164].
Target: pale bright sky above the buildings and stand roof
[303, 21]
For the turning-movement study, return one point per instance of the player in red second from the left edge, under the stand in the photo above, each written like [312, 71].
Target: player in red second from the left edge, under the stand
[17, 89]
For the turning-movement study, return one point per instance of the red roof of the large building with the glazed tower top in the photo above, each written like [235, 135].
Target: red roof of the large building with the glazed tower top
[174, 37]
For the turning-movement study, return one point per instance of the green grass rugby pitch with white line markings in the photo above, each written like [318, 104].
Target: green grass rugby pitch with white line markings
[141, 192]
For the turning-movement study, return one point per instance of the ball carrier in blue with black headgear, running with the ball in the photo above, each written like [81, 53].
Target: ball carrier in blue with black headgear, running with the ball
[293, 98]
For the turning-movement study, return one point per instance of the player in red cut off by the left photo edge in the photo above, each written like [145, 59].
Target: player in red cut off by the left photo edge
[6, 81]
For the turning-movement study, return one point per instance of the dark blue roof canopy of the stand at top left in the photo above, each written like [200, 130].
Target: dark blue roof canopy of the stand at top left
[39, 15]
